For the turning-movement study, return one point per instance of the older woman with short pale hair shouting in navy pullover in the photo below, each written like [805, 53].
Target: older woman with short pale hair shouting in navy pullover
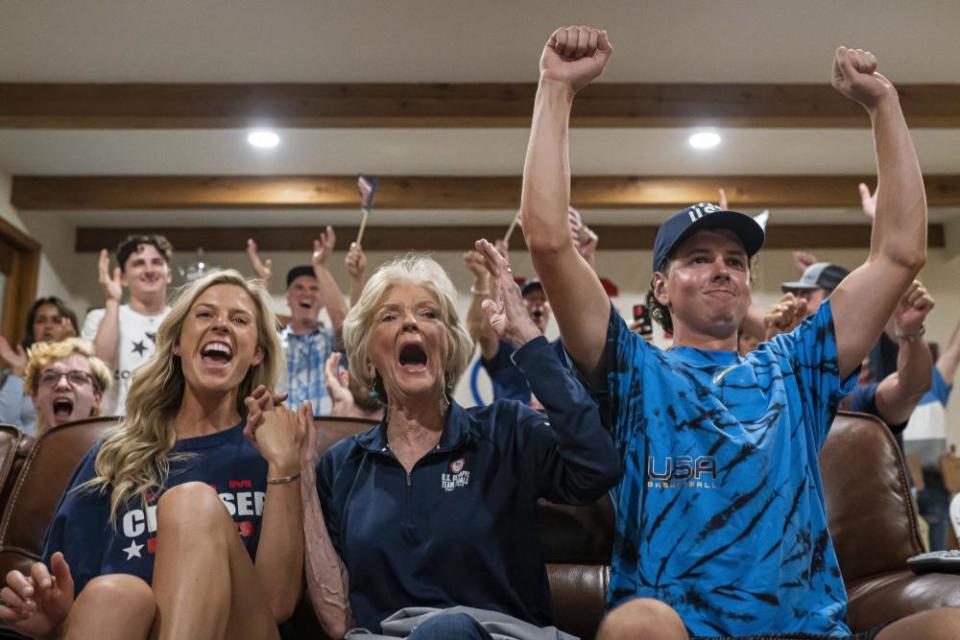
[436, 506]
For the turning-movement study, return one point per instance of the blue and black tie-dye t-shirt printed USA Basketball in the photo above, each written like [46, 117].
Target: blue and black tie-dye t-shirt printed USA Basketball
[720, 511]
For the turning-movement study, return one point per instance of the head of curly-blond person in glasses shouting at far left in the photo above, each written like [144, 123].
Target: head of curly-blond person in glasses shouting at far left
[65, 381]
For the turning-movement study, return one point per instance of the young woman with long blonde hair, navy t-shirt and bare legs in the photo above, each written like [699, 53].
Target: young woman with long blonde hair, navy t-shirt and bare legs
[141, 545]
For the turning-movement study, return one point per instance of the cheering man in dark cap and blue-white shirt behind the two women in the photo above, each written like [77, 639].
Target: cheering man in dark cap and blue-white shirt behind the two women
[306, 341]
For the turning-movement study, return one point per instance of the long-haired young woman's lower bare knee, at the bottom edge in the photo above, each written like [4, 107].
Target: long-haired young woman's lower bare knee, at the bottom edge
[111, 607]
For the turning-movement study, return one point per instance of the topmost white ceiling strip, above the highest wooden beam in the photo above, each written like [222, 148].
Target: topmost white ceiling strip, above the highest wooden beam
[464, 40]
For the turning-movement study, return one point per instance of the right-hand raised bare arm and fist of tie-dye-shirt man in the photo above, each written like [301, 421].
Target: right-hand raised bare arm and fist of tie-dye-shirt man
[865, 300]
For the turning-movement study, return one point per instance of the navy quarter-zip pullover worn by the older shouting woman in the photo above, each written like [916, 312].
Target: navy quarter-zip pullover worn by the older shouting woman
[461, 528]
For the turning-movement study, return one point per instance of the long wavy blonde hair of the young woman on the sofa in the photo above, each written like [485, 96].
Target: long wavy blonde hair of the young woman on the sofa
[134, 460]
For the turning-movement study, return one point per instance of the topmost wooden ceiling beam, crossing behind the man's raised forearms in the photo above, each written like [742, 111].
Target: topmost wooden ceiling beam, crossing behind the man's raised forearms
[218, 106]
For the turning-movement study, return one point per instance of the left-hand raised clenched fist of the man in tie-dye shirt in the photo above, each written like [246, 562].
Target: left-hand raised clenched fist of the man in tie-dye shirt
[575, 56]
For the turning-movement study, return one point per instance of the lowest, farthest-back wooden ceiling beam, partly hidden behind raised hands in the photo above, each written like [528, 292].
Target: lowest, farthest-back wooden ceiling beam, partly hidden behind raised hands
[457, 238]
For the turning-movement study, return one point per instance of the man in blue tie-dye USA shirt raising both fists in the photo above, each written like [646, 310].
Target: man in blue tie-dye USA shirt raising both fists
[721, 526]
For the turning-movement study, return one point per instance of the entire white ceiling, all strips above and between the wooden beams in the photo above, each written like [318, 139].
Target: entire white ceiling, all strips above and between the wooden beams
[456, 41]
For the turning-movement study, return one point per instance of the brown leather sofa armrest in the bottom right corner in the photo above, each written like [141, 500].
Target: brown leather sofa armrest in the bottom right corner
[896, 594]
